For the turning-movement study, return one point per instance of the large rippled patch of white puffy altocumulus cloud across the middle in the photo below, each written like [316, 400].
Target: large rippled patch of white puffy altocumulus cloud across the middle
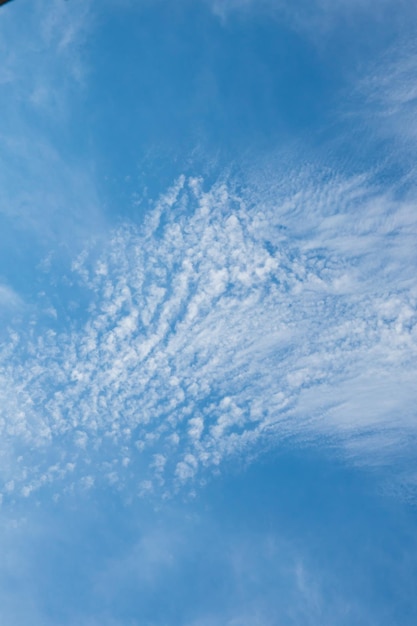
[230, 319]
